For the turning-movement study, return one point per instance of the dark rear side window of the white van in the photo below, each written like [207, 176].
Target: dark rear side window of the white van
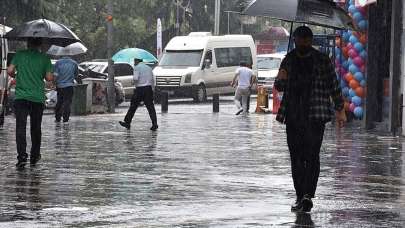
[227, 57]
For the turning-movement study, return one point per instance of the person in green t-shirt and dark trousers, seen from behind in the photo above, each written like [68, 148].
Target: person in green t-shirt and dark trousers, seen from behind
[30, 67]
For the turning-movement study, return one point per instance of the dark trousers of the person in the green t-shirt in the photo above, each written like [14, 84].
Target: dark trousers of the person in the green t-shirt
[23, 109]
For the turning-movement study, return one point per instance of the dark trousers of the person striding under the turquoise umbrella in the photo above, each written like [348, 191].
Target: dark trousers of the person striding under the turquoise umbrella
[144, 94]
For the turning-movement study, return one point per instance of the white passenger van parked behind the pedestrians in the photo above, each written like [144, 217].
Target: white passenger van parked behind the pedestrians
[199, 65]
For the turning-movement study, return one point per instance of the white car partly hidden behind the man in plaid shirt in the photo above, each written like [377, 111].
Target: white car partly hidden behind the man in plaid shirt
[268, 66]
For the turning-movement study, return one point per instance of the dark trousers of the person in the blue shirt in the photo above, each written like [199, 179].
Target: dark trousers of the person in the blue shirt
[63, 104]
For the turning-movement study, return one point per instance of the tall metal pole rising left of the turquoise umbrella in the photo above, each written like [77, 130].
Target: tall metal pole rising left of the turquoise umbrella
[110, 82]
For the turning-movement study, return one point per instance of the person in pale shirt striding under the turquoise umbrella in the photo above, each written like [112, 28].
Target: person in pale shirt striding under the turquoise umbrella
[144, 83]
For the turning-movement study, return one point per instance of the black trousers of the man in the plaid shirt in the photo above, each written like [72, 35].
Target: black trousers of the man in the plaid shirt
[304, 142]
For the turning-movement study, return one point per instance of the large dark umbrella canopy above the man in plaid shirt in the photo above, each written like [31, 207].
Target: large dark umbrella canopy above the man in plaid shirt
[318, 12]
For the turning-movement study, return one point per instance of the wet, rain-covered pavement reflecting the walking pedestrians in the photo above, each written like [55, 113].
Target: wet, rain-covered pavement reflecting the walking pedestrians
[198, 170]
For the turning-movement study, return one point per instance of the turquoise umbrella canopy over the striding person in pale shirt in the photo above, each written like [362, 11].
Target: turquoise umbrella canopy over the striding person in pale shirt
[128, 55]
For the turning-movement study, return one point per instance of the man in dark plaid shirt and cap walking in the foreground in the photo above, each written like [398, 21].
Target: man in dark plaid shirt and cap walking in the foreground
[308, 80]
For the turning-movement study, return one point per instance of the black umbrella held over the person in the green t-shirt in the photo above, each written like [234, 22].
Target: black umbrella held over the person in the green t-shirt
[50, 32]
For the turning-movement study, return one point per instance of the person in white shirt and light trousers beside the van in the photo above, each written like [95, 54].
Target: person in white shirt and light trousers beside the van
[244, 80]
